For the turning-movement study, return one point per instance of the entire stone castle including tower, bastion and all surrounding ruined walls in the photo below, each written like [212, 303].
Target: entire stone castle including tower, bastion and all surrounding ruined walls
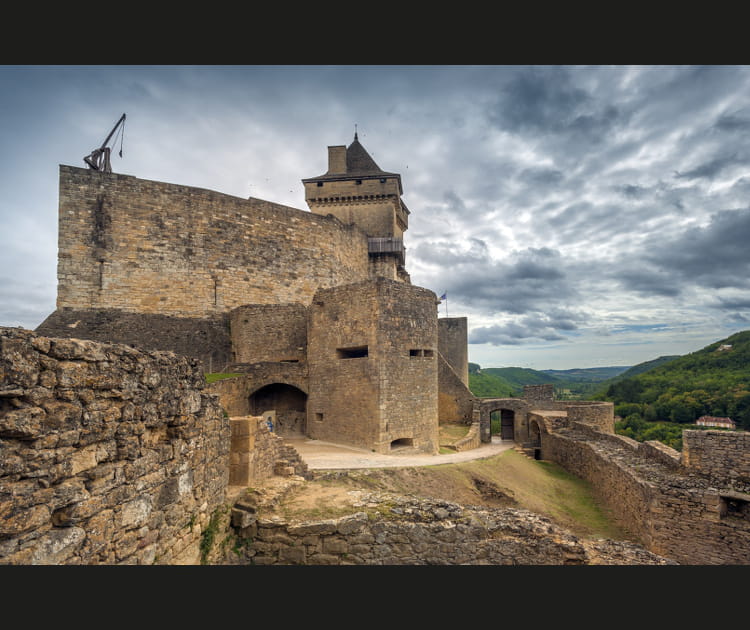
[113, 450]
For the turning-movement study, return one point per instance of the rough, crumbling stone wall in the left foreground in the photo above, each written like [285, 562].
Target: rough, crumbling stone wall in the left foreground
[108, 455]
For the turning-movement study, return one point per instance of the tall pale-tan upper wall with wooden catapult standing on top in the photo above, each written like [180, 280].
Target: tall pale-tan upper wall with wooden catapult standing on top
[152, 247]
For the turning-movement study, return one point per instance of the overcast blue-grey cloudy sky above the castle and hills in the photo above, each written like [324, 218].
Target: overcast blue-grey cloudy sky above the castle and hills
[577, 216]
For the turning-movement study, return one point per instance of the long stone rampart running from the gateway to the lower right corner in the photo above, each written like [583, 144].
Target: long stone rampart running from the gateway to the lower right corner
[675, 512]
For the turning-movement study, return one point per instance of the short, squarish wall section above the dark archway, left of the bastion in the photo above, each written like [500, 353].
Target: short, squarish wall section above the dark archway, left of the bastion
[269, 332]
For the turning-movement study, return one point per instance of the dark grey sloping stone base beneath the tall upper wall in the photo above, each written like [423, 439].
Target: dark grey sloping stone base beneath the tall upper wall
[204, 339]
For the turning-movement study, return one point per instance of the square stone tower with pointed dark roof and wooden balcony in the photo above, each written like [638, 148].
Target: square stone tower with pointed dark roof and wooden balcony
[357, 191]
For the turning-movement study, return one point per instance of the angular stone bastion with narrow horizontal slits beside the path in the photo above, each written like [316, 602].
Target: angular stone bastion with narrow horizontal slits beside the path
[389, 394]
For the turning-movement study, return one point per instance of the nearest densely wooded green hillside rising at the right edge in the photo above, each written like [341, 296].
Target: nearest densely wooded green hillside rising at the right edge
[713, 381]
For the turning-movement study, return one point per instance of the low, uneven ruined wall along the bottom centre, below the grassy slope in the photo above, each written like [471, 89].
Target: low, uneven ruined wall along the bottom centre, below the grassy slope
[394, 530]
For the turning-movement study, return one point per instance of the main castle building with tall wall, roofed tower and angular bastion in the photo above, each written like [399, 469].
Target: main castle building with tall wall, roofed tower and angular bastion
[315, 309]
